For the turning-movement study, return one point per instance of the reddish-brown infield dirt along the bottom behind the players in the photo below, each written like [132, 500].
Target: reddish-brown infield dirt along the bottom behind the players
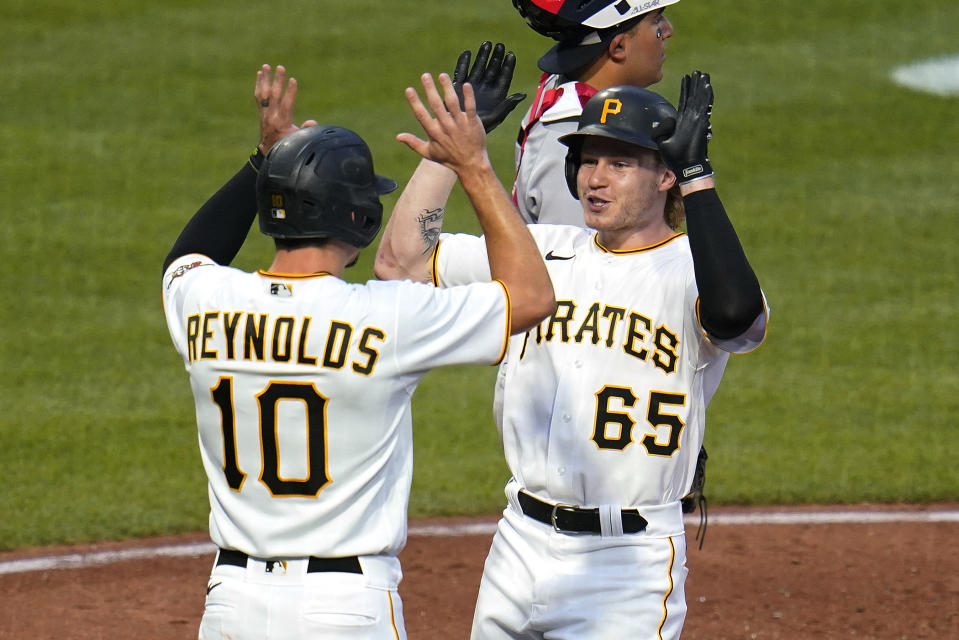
[887, 580]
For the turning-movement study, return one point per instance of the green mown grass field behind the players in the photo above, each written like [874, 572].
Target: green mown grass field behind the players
[119, 118]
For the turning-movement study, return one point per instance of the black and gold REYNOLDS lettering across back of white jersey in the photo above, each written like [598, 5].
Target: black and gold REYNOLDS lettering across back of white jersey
[253, 336]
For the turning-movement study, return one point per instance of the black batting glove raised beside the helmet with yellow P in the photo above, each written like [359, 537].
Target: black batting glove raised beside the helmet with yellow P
[683, 140]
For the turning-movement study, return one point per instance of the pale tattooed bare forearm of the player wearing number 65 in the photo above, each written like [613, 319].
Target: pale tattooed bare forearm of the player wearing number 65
[412, 232]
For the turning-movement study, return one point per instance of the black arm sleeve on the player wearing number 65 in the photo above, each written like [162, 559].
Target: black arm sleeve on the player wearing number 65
[730, 299]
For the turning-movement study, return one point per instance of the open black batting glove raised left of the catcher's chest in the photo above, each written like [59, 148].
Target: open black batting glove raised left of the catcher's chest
[490, 77]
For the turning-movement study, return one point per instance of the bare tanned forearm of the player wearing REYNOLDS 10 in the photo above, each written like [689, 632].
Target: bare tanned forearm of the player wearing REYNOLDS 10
[514, 258]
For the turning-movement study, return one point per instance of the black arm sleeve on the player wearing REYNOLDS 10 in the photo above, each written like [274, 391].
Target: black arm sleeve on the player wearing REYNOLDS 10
[219, 227]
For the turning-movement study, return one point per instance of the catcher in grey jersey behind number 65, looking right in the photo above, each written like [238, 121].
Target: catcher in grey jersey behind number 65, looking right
[601, 43]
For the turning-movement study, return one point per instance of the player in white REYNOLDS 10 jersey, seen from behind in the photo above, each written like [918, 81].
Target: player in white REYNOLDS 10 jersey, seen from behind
[302, 381]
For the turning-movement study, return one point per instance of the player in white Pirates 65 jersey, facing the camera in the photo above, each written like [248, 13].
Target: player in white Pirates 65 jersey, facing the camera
[601, 407]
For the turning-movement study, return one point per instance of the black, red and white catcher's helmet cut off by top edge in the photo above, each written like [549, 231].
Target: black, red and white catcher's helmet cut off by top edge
[565, 20]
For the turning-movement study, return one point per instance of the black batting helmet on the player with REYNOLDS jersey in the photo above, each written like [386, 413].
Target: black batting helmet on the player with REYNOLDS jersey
[318, 182]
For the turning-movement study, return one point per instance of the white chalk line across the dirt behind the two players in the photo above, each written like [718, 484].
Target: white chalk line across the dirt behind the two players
[100, 558]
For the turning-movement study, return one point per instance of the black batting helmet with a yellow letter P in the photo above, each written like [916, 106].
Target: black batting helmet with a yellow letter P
[624, 113]
